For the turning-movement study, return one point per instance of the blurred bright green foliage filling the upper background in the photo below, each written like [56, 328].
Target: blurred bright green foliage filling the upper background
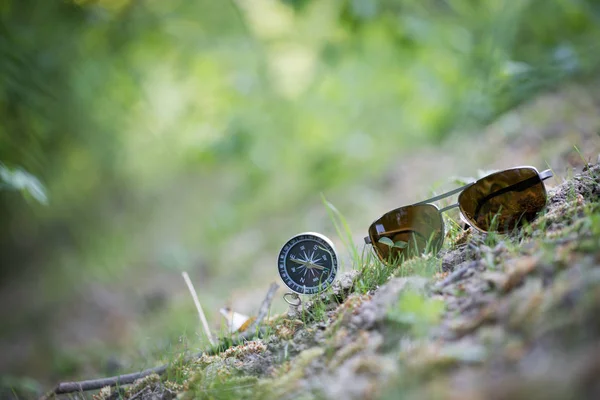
[158, 130]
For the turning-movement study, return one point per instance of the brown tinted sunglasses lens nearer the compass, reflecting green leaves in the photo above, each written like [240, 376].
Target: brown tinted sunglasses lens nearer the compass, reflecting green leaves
[407, 231]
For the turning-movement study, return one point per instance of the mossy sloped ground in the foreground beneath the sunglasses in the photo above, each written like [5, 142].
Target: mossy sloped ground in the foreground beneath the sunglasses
[511, 317]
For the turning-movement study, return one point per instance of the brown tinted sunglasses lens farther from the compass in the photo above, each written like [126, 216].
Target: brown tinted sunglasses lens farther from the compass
[503, 201]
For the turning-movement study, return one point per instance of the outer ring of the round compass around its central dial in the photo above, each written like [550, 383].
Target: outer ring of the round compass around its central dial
[283, 260]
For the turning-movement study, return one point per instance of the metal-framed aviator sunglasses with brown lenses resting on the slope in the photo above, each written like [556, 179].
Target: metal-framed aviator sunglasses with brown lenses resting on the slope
[500, 202]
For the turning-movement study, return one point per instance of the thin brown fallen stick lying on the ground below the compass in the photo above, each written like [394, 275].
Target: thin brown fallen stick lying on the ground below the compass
[95, 384]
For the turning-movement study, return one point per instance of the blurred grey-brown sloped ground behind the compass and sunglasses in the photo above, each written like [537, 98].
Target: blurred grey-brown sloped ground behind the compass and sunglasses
[134, 320]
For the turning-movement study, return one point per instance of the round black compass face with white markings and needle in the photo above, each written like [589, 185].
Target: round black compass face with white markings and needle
[308, 263]
